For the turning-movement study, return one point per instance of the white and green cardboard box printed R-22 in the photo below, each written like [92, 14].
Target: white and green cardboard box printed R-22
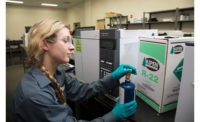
[160, 70]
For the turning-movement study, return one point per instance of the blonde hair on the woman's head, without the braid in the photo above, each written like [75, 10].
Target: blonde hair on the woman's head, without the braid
[43, 30]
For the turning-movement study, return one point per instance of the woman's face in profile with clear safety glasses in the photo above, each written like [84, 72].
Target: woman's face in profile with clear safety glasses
[61, 50]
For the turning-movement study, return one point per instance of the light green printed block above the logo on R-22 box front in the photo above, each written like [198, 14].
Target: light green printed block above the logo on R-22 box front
[154, 50]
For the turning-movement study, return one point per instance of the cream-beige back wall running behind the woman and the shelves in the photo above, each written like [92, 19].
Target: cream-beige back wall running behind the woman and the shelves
[85, 12]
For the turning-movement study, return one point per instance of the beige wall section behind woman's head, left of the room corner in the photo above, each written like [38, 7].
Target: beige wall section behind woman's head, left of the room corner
[17, 17]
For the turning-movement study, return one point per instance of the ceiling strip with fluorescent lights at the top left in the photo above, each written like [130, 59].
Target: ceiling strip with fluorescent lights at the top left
[36, 3]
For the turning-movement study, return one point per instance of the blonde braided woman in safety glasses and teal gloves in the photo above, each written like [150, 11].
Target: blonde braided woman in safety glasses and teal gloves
[41, 95]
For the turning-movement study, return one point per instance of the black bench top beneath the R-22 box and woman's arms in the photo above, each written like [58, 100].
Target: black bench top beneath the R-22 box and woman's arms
[99, 106]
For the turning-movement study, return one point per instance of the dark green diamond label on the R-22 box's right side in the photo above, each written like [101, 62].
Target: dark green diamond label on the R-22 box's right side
[178, 70]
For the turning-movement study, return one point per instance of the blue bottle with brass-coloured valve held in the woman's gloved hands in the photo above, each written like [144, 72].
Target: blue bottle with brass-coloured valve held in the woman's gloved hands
[127, 90]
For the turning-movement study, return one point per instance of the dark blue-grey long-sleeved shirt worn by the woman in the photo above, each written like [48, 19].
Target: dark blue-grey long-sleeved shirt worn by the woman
[35, 99]
